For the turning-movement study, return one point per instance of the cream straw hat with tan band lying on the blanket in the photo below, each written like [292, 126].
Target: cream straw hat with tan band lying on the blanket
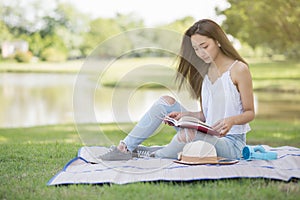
[199, 153]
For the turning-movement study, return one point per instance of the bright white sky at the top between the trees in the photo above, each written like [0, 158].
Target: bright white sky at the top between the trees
[153, 12]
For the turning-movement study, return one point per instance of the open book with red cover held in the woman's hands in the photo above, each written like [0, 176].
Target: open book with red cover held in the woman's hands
[191, 122]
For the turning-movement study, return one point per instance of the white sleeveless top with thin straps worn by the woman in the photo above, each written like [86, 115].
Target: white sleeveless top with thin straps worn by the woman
[221, 99]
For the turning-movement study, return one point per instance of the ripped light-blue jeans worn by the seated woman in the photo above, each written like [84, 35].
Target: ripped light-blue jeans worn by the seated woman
[229, 146]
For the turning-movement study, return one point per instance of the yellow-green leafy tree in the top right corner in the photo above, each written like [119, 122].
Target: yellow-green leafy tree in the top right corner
[272, 24]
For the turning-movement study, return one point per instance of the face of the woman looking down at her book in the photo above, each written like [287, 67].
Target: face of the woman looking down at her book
[205, 47]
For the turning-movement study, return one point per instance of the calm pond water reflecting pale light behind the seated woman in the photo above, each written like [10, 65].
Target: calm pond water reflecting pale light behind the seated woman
[30, 99]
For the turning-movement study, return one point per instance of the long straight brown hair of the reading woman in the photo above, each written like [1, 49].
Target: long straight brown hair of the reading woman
[191, 68]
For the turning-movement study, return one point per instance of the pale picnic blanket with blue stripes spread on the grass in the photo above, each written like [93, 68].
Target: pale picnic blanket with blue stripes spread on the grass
[86, 169]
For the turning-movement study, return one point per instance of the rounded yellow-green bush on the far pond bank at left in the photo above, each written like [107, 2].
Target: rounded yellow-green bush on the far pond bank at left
[53, 55]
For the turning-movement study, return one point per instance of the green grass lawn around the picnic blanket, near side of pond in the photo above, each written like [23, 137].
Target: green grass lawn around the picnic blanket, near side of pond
[29, 157]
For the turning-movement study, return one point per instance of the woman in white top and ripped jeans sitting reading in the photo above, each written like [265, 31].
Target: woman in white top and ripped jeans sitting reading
[219, 77]
